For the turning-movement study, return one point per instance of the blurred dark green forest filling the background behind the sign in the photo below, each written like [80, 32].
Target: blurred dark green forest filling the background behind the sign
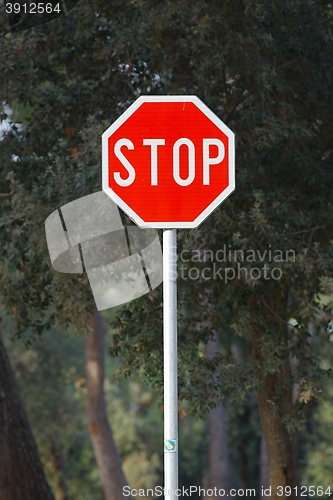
[255, 354]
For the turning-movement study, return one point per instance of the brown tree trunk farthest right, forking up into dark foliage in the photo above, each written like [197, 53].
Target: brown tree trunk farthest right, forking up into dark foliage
[280, 444]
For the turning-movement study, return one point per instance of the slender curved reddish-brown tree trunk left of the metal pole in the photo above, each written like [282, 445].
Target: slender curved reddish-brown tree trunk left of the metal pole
[100, 432]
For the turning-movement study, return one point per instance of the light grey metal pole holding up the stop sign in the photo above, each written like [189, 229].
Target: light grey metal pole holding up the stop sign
[170, 362]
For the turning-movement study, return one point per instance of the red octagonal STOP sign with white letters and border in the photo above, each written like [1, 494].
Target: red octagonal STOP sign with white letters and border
[168, 161]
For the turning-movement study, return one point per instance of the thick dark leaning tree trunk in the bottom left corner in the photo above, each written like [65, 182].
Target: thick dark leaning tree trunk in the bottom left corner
[21, 472]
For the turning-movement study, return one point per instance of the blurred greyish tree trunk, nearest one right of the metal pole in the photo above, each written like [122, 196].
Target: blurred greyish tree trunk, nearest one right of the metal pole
[218, 450]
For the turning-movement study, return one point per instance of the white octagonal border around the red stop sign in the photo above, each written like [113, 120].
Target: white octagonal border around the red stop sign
[122, 119]
